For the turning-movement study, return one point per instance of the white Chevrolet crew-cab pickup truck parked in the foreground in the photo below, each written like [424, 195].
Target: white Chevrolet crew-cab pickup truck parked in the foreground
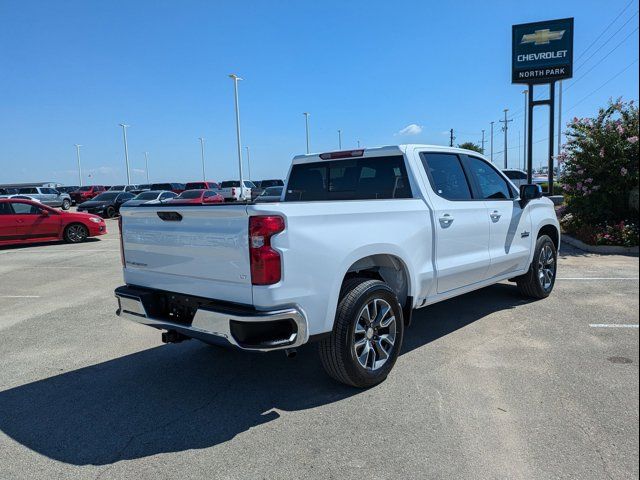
[359, 239]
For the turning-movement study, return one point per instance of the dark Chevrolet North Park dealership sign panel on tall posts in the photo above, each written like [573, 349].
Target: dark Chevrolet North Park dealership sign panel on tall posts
[542, 52]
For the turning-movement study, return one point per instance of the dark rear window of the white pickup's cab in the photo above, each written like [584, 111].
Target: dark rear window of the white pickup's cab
[351, 179]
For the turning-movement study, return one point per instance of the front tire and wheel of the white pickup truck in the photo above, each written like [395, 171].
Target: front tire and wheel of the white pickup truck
[538, 282]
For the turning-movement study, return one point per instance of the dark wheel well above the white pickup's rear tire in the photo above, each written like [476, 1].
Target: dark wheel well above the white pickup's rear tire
[387, 268]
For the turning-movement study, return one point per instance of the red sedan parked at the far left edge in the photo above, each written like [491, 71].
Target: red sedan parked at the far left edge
[28, 221]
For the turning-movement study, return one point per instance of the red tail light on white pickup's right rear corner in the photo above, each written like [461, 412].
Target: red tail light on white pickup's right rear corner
[266, 266]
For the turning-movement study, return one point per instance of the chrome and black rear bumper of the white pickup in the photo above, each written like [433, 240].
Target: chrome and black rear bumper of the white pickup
[215, 322]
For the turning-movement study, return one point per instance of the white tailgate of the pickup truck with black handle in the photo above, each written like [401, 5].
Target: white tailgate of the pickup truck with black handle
[195, 250]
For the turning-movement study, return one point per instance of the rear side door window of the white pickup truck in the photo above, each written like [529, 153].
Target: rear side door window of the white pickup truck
[446, 175]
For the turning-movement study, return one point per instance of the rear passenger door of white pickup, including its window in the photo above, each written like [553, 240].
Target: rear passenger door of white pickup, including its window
[461, 223]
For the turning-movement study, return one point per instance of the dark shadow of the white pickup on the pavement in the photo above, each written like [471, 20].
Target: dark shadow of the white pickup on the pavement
[187, 396]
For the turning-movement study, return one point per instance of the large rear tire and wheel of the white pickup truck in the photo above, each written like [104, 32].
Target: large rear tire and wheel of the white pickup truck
[367, 334]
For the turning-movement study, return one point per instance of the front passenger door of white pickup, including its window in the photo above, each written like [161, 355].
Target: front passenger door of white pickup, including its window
[510, 242]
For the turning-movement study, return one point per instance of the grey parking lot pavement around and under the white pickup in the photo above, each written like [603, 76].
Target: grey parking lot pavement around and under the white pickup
[488, 386]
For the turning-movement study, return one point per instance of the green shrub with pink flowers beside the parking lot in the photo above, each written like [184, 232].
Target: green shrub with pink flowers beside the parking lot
[600, 170]
